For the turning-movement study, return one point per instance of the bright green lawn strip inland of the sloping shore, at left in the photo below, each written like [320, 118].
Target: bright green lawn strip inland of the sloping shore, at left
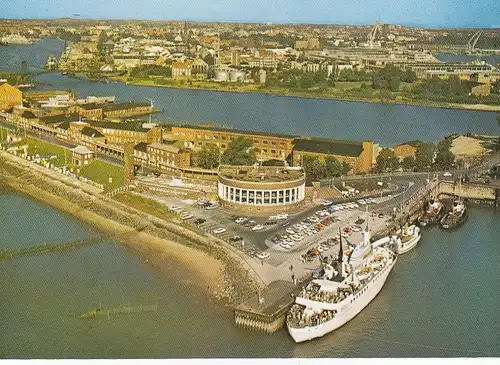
[97, 171]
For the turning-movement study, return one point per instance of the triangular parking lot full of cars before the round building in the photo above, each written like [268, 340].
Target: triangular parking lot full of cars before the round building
[275, 239]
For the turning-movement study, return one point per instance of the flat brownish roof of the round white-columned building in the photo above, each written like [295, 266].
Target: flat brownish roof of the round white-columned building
[262, 174]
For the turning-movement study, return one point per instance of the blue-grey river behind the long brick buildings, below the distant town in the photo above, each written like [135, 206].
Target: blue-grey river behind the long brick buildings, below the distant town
[384, 123]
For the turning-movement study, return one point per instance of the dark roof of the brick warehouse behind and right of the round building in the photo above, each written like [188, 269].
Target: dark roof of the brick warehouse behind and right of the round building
[329, 146]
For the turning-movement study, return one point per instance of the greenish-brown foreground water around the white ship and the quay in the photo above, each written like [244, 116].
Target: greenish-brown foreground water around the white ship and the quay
[440, 300]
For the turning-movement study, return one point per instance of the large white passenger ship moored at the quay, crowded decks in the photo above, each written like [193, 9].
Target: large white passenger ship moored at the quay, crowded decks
[328, 303]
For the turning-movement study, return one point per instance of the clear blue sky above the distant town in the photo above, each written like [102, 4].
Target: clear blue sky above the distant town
[426, 13]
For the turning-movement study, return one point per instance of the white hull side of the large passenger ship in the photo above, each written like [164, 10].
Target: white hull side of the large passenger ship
[373, 288]
